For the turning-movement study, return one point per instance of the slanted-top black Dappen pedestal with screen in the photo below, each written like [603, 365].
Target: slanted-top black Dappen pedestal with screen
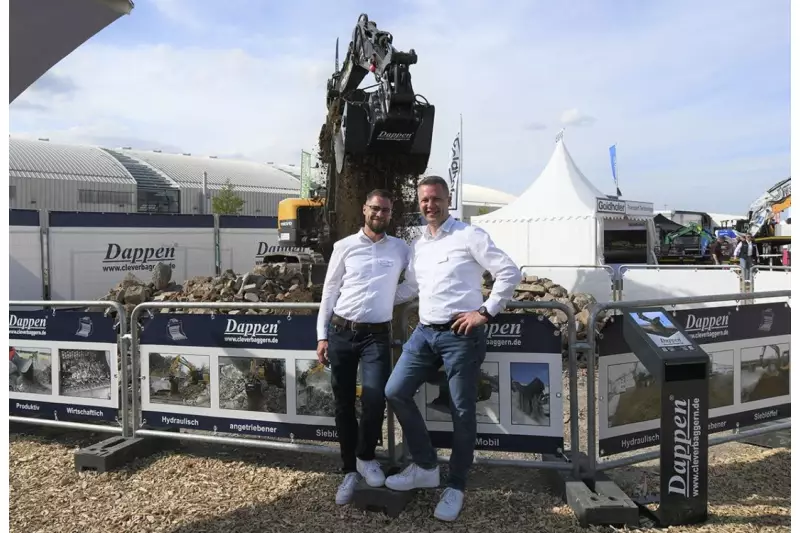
[681, 368]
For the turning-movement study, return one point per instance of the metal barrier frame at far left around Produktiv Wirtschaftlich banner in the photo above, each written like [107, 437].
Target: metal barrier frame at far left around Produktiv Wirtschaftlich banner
[120, 358]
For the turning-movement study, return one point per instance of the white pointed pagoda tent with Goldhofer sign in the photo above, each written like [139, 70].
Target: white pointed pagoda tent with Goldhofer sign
[561, 218]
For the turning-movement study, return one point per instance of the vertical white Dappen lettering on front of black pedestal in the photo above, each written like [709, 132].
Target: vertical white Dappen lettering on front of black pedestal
[685, 479]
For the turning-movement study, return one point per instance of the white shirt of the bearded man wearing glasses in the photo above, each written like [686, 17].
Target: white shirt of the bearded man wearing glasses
[361, 280]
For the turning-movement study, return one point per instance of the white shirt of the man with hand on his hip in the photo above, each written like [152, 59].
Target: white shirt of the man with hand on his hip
[446, 271]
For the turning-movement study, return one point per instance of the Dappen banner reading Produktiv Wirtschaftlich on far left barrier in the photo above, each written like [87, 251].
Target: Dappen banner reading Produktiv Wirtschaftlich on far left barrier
[63, 365]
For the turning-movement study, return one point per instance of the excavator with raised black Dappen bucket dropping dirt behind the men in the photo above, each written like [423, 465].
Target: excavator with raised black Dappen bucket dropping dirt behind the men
[371, 139]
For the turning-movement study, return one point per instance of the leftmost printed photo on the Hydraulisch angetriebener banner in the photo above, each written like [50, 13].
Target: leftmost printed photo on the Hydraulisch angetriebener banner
[180, 379]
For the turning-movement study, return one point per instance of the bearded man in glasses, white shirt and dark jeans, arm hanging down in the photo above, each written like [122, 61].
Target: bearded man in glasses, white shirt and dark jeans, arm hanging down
[353, 326]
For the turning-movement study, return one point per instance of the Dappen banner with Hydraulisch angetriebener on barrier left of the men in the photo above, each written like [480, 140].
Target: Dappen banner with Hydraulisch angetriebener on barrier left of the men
[248, 374]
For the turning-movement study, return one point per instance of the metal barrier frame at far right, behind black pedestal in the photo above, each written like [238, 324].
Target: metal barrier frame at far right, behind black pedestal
[590, 348]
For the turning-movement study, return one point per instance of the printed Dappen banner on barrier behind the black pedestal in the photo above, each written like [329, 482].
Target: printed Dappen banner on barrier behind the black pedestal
[748, 384]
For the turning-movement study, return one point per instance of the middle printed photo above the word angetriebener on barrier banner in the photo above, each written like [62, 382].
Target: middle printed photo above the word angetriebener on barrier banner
[252, 384]
